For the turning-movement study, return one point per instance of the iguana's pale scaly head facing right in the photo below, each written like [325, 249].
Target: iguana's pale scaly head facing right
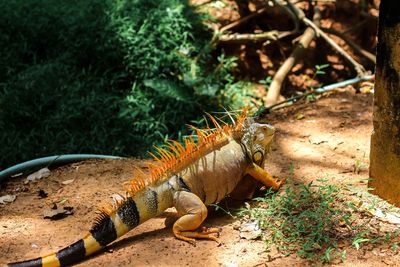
[257, 139]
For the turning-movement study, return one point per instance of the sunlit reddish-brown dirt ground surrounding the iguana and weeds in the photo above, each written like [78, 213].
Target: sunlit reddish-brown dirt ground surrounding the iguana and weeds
[323, 139]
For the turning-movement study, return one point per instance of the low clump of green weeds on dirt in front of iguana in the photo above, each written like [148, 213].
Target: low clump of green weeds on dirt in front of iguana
[299, 220]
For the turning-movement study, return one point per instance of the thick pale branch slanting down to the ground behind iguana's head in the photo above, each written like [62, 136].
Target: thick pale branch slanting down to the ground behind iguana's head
[297, 53]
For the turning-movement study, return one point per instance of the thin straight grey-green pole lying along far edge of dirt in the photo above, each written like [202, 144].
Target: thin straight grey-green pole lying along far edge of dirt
[320, 90]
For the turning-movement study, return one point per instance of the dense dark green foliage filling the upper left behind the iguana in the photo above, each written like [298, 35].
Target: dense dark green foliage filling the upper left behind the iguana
[109, 77]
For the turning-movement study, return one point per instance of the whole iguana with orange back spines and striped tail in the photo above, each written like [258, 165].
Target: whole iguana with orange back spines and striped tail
[189, 177]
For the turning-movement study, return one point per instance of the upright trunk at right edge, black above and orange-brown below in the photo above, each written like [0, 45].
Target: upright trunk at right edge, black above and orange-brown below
[385, 140]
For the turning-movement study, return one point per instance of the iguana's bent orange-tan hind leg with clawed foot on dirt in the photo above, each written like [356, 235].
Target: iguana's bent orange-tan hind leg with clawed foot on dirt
[192, 212]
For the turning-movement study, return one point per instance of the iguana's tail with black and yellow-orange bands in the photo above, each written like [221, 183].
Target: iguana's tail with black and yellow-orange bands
[113, 222]
